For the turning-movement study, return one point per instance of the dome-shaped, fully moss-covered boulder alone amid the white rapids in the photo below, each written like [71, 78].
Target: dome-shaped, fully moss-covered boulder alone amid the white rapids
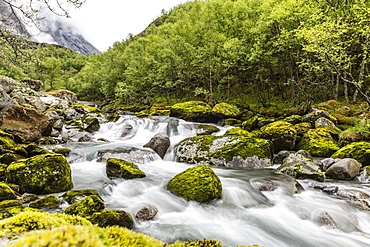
[198, 184]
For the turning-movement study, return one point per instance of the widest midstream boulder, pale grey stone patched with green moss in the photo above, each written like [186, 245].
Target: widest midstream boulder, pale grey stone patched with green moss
[230, 150]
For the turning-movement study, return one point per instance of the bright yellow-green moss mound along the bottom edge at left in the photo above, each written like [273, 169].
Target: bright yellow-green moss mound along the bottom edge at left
[81, 236]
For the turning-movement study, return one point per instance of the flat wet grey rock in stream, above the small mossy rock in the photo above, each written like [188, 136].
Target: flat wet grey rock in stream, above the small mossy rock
[131, 154]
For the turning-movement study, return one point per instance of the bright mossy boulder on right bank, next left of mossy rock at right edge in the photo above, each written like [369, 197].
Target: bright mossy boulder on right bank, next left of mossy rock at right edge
[318, 142]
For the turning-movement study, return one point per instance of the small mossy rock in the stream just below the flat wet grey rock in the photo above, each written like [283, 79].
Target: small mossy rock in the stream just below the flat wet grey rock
[117, 168]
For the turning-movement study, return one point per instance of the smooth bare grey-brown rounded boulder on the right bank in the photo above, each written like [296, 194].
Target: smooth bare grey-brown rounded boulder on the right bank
[344, 169]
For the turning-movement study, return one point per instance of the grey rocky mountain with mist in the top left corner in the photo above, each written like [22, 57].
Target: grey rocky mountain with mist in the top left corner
[50, 29]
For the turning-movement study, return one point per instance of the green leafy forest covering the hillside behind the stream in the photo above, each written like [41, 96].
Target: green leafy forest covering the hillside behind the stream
[245, 52]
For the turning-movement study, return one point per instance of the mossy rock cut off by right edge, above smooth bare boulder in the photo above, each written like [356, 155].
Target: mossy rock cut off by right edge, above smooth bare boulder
[359, 151]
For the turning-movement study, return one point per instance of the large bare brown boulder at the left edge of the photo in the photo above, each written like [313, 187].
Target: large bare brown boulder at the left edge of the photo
[23, 121]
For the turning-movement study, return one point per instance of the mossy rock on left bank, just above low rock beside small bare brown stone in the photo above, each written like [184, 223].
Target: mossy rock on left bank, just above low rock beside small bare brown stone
[86, 207]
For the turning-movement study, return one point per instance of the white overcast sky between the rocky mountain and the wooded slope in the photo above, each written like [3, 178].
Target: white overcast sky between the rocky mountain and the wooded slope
[104, 22]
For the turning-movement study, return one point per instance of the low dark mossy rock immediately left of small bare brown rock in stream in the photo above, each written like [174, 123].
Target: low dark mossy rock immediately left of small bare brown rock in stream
[107, 218]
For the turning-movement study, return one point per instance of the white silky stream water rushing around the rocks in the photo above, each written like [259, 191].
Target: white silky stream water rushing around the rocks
[244, 215]
